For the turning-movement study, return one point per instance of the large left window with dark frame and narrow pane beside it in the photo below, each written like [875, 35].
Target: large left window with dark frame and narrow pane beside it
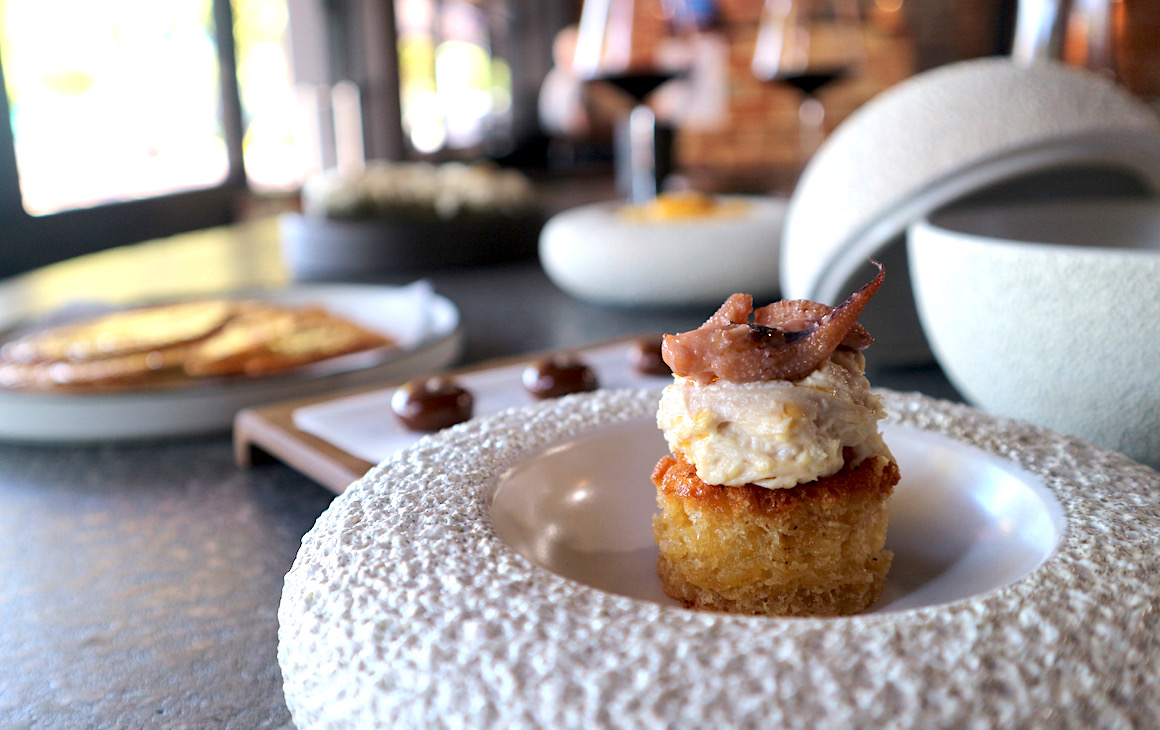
[137, 119]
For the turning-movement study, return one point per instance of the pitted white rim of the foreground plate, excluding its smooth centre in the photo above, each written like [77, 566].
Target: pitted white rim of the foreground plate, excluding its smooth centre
[405, 610]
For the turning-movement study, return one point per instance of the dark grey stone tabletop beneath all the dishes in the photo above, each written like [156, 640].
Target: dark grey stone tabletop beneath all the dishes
[141, 583]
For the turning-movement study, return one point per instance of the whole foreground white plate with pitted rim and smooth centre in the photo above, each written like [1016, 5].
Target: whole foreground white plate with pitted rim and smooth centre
[422, 597]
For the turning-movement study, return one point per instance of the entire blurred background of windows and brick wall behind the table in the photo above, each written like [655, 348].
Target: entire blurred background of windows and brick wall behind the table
[135, 120]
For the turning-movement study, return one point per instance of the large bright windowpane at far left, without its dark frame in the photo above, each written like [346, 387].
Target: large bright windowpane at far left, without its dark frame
[112, 104]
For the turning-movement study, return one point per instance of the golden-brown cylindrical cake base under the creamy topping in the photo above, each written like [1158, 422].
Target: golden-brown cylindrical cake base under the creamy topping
[813, 551]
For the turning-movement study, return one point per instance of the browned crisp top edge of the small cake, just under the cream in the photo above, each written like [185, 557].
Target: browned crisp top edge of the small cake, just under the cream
[678, 478]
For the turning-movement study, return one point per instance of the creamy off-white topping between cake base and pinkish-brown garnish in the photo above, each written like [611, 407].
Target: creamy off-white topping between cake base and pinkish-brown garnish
[778, 433]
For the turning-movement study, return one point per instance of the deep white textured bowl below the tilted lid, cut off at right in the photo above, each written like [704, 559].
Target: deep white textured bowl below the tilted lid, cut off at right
[1049, 313]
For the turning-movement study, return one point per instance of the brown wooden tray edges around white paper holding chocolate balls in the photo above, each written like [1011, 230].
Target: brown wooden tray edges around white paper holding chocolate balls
[269, 433]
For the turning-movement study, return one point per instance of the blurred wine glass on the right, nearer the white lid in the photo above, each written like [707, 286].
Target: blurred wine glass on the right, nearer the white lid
[809, 45]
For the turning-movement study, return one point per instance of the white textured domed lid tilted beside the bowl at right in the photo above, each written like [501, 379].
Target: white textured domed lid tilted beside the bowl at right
[985, 127]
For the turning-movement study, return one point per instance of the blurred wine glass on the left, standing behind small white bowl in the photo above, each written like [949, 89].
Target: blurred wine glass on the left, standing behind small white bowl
[636, 46]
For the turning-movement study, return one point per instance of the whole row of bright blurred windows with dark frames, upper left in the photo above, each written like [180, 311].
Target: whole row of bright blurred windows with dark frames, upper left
[140, 119]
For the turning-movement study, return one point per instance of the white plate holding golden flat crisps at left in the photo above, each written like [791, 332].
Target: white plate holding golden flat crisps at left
[425, 324]
